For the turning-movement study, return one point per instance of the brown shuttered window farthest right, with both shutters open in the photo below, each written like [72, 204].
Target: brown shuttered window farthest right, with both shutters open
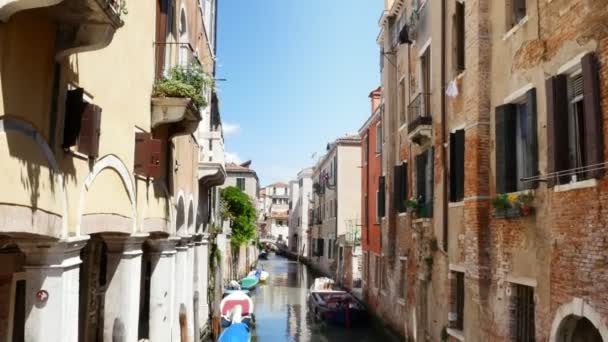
[574, 124]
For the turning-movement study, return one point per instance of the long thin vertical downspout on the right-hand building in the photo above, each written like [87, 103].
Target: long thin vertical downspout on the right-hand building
[444, 199]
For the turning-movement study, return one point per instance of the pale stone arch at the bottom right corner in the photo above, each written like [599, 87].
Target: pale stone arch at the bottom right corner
[569, 315]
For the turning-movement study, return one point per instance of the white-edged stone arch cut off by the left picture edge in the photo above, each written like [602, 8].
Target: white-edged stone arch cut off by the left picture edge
[26, 217]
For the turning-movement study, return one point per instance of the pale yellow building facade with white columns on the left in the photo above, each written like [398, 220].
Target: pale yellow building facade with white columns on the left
[100, 235]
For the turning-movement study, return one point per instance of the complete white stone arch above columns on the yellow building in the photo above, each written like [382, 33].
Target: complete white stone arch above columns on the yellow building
[114, 163]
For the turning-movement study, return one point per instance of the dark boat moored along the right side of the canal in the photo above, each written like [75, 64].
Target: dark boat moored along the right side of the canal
[334, 306]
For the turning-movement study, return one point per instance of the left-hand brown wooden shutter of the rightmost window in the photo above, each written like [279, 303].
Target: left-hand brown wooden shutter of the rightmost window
[557, 127]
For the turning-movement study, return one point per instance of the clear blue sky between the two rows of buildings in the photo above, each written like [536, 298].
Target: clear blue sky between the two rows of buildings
[298, 76]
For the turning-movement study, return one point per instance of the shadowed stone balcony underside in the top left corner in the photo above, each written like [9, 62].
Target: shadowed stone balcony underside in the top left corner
[82, 25]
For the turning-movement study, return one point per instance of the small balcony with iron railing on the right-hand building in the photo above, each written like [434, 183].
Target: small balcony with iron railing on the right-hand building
[420, 120]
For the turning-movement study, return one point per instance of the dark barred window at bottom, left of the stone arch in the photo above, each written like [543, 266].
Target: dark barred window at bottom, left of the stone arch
[522, 313]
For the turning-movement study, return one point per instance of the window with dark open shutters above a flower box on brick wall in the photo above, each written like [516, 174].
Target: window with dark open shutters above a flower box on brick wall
[516, 144]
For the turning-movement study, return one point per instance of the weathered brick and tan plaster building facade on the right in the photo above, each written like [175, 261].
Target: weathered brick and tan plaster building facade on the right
[494, 123]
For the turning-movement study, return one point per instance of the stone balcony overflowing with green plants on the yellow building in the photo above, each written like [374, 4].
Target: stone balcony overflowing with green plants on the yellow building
[178, 92]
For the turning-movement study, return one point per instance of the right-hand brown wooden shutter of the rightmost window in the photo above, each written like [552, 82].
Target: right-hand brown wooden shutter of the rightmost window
[594, 142]
